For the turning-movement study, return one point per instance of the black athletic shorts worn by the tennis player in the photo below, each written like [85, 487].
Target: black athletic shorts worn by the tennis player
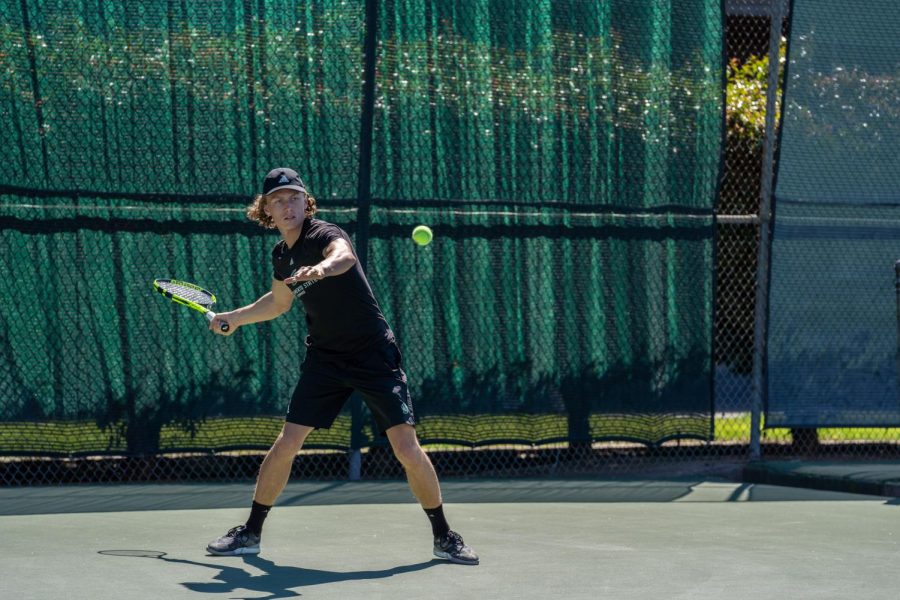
[326, 383]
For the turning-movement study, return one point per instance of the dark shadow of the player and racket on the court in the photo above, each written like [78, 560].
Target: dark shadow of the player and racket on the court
[276, 580]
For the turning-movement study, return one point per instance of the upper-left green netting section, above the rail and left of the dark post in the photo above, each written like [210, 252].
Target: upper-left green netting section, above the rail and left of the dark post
[180, 97]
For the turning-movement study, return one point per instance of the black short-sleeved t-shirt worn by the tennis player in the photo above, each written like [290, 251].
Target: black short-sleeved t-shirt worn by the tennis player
[342, 315]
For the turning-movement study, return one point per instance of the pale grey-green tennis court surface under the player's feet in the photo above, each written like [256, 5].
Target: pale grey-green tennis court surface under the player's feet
[566, 539]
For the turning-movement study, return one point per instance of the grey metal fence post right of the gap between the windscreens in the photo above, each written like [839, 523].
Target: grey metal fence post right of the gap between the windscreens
[760, 328]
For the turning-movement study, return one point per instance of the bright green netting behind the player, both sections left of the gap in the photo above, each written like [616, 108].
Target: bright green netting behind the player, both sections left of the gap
[565, 154]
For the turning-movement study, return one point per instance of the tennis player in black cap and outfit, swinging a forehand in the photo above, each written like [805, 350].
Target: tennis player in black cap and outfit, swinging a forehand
[349, 347]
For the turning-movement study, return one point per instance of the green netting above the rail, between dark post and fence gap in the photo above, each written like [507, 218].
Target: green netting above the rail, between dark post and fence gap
[614, 103]
